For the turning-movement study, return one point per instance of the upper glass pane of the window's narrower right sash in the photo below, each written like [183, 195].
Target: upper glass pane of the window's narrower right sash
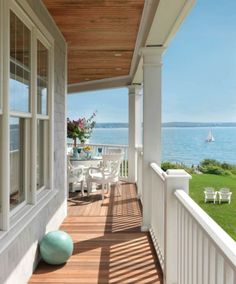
[42, 76]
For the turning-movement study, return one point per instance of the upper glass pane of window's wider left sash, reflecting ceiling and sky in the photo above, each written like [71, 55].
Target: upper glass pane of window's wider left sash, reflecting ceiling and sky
[19, 65]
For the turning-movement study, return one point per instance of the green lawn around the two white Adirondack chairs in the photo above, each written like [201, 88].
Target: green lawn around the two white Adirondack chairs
[224, 214]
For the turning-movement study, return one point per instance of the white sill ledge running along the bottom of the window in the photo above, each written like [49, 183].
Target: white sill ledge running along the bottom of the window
[23, 217]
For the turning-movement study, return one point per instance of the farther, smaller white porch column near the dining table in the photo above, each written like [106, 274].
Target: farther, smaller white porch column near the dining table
[135, 128]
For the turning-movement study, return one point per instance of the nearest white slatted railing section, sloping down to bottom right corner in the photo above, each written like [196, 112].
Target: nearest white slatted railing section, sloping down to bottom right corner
[206, 253]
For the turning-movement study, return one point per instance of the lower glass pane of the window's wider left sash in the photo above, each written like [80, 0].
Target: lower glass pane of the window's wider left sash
[17, 191]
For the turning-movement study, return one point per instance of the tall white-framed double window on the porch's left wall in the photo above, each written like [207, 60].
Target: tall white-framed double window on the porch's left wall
[26, 54]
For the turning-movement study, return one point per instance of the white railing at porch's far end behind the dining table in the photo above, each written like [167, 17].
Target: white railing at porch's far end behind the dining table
[105, 147]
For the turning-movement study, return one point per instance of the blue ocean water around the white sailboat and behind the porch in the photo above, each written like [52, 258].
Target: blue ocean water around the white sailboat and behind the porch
[181, 144]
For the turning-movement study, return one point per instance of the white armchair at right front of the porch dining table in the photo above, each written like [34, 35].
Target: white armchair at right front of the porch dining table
[106, 174]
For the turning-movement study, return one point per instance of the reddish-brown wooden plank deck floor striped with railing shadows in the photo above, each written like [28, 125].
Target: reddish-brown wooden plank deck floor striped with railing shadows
[108, 244]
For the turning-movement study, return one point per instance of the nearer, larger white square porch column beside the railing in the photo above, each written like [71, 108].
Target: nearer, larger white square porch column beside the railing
[151, 122]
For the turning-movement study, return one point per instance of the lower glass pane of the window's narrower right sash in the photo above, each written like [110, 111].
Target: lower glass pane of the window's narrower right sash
[42, 154]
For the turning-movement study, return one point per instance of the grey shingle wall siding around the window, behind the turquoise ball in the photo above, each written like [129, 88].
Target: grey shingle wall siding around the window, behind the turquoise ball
[20, 257]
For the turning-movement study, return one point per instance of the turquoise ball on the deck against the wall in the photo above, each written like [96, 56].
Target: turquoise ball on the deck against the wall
[56, 247]
